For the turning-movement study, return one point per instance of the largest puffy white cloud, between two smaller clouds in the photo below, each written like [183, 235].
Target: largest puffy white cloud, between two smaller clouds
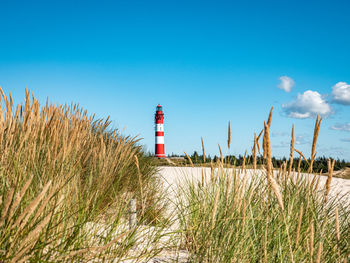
[307, 105]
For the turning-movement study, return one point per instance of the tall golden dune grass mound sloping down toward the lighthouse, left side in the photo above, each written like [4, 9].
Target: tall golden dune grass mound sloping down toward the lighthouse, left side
[62, 172]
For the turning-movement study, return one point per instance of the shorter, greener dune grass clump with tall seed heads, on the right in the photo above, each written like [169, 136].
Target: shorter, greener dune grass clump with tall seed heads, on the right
[279, 217]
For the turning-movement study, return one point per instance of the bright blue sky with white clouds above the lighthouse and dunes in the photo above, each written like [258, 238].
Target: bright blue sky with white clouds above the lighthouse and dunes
[206, 62]
